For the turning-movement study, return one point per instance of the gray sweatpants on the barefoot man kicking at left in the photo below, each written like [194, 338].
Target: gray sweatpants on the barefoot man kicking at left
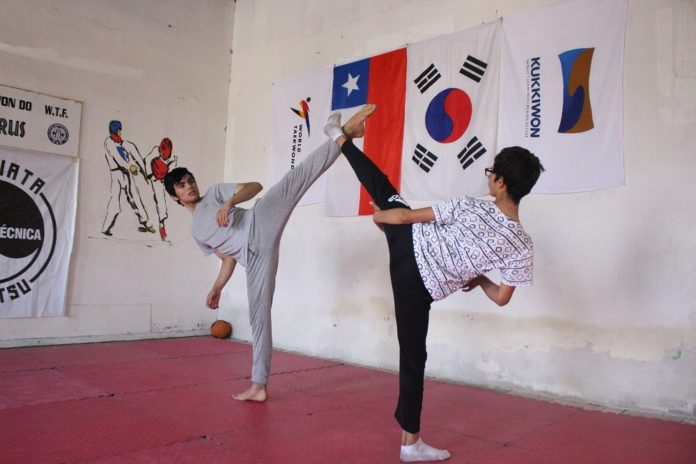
[271, 213]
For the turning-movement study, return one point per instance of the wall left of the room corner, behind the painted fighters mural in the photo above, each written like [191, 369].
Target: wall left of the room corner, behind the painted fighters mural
[161, 67]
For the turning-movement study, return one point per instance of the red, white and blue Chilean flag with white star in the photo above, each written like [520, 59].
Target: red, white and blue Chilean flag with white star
[380, 80]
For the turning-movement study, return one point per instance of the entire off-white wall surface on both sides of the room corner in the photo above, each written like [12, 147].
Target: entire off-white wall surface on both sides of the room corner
[611, 318]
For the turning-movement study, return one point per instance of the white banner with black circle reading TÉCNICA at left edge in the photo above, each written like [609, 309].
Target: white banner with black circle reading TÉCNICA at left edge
[38, 201]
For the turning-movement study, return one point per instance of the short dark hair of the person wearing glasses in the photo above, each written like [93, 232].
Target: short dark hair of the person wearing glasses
[519, 168]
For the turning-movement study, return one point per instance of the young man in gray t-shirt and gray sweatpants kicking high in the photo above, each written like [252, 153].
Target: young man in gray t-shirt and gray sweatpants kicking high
[251, 237]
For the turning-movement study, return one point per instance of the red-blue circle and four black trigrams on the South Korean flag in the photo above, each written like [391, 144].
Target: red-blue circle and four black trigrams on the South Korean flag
[448, 115]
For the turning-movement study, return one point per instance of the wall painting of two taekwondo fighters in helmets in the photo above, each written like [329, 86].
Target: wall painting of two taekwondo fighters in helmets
[134, 178]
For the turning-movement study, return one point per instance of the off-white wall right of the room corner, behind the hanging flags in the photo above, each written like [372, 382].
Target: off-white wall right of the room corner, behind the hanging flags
[611, 318]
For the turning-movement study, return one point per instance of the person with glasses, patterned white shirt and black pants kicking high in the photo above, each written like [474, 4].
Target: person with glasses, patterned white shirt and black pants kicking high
[438, 250]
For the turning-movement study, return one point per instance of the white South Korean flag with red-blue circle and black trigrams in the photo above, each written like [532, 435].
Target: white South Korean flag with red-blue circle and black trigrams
[451, 114]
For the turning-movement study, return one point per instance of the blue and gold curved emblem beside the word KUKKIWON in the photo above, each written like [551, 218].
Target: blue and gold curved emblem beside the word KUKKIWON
[577, 110]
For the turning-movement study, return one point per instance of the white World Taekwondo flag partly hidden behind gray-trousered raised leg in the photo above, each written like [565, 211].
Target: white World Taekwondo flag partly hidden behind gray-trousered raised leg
[301, 106]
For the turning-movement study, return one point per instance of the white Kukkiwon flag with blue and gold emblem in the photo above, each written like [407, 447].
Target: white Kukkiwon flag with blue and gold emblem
[562, 94]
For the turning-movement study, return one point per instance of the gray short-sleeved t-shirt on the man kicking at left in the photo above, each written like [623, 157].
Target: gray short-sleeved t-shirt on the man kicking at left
[232, 240]
